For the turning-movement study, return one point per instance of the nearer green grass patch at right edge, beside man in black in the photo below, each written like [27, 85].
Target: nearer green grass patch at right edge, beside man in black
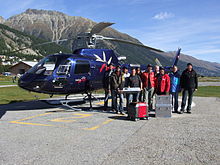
[208, 91]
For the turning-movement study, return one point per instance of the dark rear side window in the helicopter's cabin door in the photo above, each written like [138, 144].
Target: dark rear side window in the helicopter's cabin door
[82, 67]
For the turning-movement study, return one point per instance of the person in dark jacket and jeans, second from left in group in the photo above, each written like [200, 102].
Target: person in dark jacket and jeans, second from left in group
[116, 85]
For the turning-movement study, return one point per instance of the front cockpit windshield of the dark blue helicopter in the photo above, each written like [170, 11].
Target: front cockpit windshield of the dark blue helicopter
[45, 66]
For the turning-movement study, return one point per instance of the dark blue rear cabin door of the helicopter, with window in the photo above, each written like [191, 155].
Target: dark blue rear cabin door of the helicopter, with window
[82, 75]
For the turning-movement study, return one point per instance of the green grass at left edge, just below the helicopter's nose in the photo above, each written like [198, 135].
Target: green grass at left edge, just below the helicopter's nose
[16, 94]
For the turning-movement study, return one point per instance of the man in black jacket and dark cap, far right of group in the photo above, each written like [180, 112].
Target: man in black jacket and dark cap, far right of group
[189, 84]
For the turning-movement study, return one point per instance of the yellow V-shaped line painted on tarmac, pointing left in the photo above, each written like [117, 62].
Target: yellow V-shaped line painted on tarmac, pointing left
[31, 117]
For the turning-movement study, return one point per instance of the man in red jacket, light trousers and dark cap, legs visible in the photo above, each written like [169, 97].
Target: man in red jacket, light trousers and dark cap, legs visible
[148, 80]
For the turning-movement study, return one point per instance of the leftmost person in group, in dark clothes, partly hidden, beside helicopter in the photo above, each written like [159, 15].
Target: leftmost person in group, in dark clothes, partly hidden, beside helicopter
[106, 84]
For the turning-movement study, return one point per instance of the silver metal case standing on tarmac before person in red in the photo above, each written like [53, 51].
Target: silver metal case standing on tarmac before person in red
[163, 106]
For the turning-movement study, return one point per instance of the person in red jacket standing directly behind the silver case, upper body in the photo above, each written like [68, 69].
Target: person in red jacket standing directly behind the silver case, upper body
[162, 83]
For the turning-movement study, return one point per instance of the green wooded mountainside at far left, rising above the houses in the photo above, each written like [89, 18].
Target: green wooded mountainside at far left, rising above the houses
[12, 40]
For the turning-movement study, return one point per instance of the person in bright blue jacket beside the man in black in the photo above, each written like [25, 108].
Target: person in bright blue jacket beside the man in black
[175, 87]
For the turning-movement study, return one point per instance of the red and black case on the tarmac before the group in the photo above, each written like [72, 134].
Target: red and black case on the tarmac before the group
[137, 110]
